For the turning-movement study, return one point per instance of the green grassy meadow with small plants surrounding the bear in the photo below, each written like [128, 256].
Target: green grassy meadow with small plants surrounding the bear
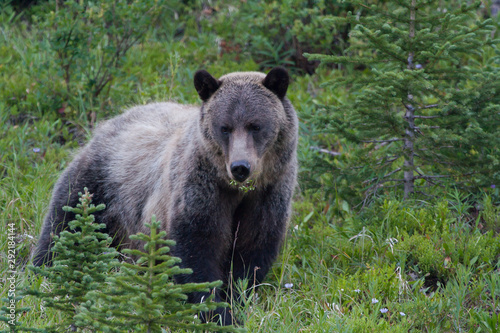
[430, 264]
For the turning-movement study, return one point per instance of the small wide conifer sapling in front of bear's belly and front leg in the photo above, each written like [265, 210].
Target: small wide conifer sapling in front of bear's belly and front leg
[143, 297]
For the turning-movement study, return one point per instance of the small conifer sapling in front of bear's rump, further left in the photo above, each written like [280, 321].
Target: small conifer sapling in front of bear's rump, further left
[82, 260]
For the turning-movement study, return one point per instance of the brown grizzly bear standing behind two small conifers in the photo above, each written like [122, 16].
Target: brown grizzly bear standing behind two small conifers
[186, 165]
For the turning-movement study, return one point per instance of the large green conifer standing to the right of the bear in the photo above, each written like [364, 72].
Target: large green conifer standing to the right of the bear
[425, 110]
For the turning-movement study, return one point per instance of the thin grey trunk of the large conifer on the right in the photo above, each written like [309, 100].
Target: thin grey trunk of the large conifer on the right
[409, 150]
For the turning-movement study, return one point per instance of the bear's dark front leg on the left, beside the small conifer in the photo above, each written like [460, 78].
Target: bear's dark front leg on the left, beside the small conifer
[202, 231]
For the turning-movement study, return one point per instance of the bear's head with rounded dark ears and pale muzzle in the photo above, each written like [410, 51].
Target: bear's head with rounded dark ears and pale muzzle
[243, 118]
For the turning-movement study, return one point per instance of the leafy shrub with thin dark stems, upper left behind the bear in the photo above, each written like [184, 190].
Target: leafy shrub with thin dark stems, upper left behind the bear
[90, 41]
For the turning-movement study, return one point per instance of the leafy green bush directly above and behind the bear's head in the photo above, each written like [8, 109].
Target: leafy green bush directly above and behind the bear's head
[277, 32]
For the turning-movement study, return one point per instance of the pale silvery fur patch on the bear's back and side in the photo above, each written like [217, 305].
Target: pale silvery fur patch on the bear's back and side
[140, 145]
